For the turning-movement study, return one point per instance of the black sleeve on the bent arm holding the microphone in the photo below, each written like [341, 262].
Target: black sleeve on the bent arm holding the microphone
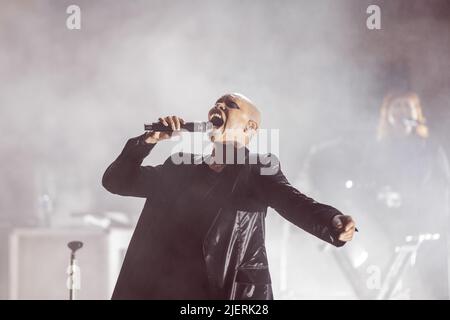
[126, 177]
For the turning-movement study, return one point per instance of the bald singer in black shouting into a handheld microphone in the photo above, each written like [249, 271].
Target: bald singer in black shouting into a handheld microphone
[201, 233]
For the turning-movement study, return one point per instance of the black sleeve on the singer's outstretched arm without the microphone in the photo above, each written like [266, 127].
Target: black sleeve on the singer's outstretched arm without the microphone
[304, 212]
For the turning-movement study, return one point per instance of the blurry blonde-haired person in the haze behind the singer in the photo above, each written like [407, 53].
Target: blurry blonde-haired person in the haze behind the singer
[409, 179]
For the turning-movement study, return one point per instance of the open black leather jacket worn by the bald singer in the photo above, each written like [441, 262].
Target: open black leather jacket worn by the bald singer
[234, 247]
